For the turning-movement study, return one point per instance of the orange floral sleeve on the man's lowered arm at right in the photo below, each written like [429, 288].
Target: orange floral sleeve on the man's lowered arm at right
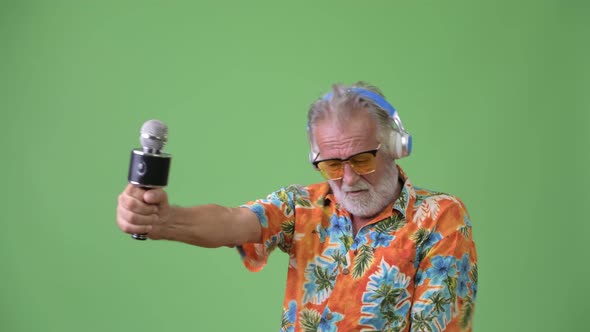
[446, 279]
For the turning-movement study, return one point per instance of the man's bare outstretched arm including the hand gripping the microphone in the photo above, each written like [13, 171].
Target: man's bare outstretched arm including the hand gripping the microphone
[147, 211]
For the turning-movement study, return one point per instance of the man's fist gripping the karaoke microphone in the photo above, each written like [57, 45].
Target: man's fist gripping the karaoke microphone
[141, 211]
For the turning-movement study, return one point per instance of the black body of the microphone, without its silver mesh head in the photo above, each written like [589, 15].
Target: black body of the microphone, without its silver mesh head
[148, 170]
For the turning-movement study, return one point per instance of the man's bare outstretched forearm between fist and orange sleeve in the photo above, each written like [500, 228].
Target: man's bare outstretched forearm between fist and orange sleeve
[209, 226]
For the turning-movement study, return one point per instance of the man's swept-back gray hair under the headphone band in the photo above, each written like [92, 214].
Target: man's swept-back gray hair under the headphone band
[344, 103]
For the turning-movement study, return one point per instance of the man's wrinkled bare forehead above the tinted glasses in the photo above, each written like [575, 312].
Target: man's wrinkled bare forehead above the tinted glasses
[340, 139]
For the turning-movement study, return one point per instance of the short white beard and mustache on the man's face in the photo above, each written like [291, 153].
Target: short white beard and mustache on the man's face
[368, 203]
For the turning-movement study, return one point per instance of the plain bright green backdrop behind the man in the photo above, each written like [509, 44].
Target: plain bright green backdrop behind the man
[495, 94]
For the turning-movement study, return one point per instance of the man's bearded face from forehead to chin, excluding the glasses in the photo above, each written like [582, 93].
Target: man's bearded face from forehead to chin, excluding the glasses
[361, 195]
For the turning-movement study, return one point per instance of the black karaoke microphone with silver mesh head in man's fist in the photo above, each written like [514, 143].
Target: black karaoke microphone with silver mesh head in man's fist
[149, 166]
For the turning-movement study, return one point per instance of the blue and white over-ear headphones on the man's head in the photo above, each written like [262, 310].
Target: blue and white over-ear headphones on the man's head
[400, 140]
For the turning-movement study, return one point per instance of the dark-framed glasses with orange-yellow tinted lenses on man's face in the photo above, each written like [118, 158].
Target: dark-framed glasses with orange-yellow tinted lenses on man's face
[361, 163]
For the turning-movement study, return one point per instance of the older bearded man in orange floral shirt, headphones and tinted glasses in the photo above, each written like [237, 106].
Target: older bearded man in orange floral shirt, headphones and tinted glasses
[367, 250]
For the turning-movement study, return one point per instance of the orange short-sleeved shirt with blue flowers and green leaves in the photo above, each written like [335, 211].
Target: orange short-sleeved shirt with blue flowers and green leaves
[412, 268]
